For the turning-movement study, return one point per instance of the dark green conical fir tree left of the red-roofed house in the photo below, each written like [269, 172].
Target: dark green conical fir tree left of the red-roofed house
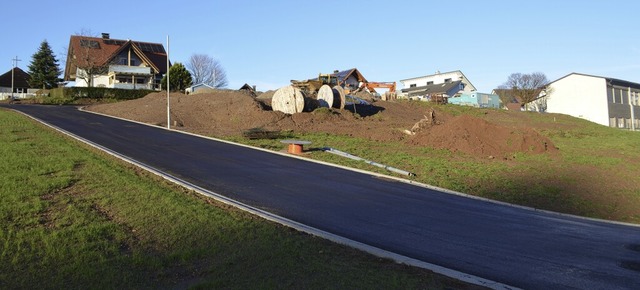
[44, 68]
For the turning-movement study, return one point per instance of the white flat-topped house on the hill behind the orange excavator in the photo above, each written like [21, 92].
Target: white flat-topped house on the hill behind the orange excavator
[423, 86]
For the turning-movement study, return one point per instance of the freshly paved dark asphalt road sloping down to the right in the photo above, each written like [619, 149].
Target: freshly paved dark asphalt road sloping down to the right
[519, 247]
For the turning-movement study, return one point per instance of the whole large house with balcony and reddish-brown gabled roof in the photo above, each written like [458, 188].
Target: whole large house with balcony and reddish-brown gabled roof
[114, 63]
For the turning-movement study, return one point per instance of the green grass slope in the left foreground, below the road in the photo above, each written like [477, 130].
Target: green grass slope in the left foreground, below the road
[71, 217]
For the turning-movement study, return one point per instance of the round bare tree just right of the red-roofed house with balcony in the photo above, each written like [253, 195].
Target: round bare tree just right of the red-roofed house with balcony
[207, 70]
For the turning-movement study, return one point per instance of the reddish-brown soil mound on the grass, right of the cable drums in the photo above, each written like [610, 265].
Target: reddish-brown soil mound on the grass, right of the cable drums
[476, 136]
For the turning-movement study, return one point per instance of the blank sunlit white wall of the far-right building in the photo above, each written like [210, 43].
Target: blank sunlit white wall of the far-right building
[580, 96]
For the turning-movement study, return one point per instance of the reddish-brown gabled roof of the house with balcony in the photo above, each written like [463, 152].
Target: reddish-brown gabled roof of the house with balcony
[103, 50]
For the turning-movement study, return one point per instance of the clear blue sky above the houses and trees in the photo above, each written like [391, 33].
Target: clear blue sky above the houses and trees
[268, 43]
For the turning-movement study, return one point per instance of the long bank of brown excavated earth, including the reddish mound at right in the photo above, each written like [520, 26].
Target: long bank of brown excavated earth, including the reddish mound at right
[230, 113]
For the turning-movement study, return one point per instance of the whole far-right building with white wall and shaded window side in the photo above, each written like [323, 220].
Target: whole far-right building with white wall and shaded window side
[606, 101]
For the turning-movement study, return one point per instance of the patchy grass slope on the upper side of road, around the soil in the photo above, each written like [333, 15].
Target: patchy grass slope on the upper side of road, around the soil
[595, 173]
